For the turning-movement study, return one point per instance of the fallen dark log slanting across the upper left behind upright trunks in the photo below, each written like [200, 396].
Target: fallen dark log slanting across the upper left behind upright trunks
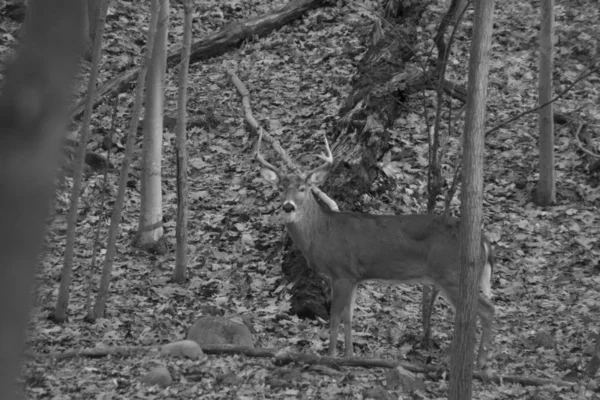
[230, 37]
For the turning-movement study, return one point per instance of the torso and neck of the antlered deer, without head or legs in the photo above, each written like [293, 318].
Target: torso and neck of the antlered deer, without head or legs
[359, 247]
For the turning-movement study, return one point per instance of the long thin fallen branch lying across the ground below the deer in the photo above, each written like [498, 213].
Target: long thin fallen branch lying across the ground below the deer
[284, 357]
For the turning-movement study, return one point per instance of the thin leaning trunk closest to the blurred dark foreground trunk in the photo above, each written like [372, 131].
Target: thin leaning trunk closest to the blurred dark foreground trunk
[62, 302]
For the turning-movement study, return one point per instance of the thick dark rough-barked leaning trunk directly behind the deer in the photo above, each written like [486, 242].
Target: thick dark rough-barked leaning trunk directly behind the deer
[360, 141]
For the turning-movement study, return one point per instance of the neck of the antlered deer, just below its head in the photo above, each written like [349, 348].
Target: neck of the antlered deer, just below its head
[310, 224]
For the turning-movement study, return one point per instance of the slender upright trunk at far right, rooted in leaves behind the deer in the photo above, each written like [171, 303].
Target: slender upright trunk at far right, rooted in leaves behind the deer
[546, 189]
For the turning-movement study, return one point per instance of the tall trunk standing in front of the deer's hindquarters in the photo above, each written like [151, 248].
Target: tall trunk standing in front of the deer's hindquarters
[471, 204]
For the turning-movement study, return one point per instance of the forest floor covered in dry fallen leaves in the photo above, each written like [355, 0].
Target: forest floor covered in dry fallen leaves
[547, 272]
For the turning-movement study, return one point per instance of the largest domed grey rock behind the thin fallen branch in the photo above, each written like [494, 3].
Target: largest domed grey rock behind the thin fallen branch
[219, 330]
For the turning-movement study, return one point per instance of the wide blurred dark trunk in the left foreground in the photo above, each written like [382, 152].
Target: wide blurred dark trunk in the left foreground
[33, 112]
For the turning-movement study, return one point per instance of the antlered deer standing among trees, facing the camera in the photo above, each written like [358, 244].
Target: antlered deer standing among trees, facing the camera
[350, 248]
